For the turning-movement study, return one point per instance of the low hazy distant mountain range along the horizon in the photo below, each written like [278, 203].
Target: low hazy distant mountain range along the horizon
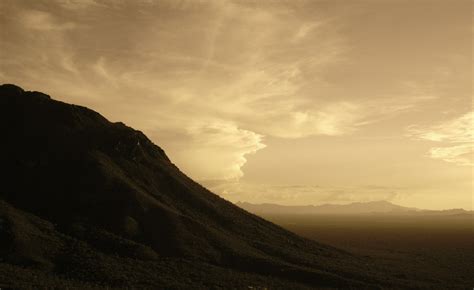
[374, 207]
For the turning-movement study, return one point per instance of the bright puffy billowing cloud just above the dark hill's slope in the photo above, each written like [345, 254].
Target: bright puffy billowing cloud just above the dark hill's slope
[219, 145]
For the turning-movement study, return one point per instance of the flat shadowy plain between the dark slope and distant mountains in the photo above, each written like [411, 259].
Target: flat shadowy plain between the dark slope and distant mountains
[436, 249]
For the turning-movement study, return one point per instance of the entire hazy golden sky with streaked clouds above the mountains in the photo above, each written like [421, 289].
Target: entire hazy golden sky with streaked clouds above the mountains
[287, 102]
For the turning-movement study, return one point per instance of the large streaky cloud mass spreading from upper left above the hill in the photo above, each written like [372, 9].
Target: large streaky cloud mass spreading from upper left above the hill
[207, 93]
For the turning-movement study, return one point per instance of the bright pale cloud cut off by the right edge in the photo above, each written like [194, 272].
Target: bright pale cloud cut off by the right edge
[457, 134]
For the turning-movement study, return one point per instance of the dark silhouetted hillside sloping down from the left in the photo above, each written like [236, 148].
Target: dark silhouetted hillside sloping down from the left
[85, 203]
